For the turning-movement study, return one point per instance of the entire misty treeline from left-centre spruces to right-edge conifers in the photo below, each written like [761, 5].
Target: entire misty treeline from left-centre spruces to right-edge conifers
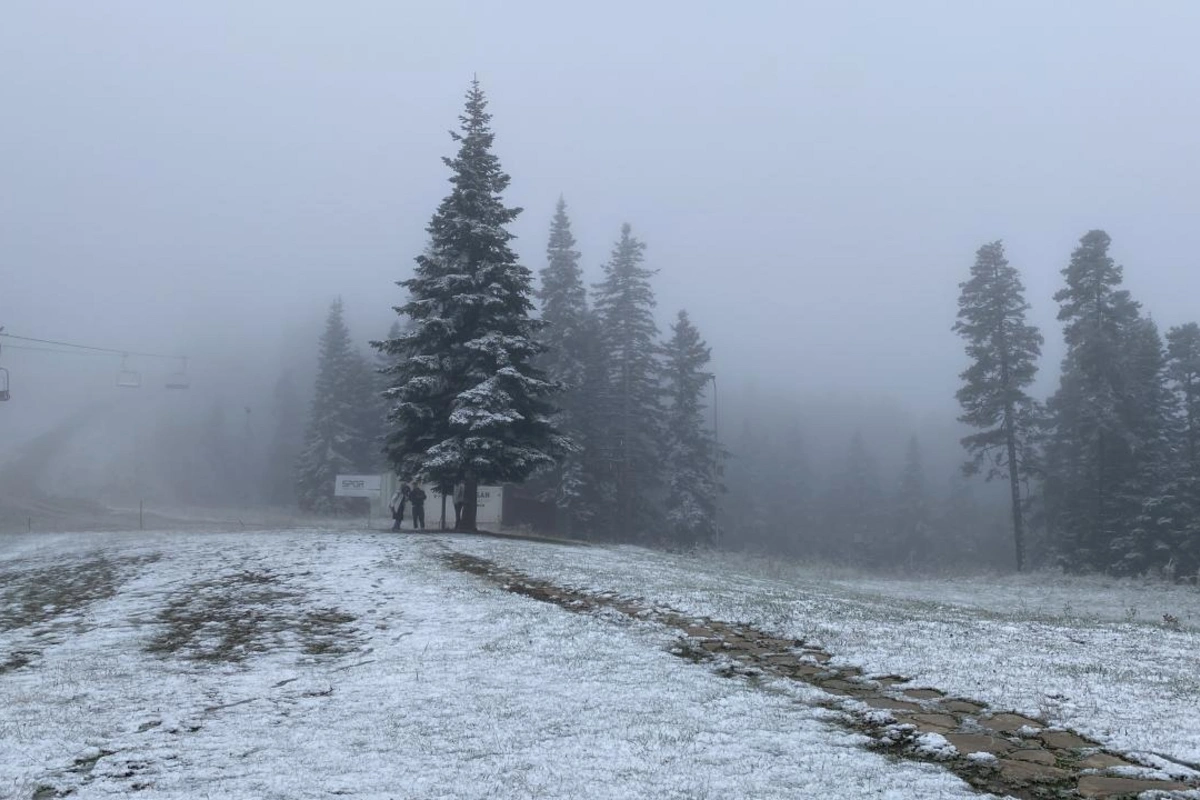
[574, 393]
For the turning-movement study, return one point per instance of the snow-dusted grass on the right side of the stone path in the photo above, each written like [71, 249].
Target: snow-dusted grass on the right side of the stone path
[1067, 649]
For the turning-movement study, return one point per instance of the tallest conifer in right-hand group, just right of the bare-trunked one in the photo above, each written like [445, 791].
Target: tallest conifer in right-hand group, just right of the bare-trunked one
[1089, 443]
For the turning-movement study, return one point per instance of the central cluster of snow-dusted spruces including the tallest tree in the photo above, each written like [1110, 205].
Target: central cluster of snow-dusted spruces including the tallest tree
[568, 390]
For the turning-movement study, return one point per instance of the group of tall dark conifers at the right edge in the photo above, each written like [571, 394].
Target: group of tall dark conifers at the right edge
[1106, 471]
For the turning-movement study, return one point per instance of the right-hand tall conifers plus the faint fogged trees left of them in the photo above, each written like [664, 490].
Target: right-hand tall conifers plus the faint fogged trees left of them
[1103, 476]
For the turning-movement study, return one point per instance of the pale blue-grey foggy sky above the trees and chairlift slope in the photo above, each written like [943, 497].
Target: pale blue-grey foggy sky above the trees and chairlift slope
[812, 179]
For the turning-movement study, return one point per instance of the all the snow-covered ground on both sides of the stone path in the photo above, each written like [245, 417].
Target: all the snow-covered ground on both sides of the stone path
[313, 664]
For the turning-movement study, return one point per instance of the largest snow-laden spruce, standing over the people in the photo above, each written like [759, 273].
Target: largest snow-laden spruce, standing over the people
[466, 402]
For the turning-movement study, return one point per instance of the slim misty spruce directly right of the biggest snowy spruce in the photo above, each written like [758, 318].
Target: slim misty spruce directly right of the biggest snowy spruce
[571, 342]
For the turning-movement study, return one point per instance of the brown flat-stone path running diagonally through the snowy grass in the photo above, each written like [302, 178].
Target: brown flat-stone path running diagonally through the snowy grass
[994, 751]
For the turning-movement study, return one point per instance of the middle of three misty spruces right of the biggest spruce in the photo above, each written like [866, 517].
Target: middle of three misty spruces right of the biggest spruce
[633, 414]
